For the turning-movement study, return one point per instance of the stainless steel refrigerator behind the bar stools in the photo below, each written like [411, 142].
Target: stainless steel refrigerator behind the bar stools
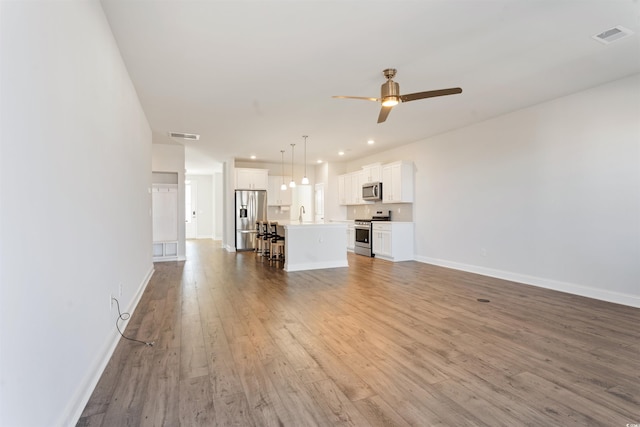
[251, 206]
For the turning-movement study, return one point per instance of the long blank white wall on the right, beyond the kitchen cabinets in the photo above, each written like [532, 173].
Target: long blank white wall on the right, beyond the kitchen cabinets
[548, 195]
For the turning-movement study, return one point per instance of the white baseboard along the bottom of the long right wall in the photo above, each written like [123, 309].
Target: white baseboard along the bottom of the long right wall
[571, 288]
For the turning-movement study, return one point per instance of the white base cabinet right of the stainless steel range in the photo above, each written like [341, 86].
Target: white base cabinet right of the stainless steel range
[392, 241]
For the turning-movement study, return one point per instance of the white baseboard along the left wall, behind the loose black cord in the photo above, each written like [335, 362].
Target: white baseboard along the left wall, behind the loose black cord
[74, 412]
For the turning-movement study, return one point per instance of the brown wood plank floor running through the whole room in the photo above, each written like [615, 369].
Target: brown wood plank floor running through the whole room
[241, 342]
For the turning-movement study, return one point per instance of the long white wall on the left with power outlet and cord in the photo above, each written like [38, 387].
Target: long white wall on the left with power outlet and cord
[75, 173]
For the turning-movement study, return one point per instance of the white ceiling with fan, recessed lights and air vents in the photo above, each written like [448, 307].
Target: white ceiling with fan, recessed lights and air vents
[253, 77]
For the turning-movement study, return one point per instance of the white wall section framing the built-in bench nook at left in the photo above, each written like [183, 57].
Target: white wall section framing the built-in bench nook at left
[169, 157]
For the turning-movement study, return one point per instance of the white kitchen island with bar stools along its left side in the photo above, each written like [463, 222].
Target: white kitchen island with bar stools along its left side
[314, 245]
